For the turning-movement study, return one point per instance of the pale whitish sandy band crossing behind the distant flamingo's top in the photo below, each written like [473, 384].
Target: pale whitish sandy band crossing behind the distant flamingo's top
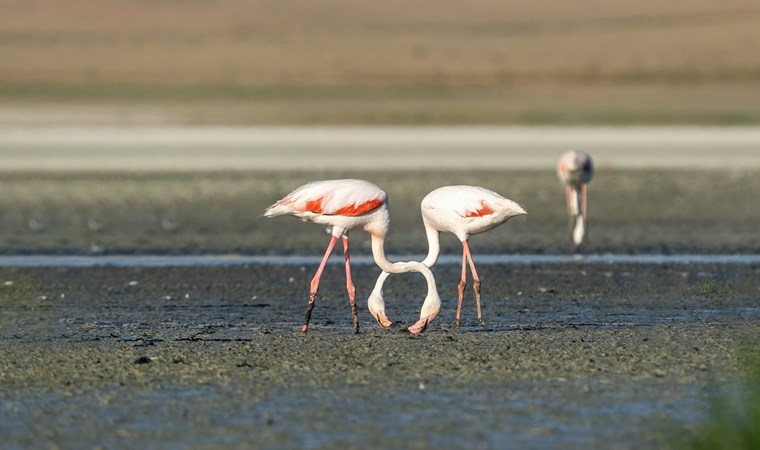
[213, 148]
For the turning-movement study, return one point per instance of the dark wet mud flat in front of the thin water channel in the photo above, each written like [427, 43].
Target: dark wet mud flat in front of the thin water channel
[606, 356]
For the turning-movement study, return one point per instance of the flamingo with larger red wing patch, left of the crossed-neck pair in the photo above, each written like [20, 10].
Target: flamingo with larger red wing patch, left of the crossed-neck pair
[343, 205]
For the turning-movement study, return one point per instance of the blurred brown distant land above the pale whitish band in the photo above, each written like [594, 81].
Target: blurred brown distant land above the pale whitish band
[402, 62]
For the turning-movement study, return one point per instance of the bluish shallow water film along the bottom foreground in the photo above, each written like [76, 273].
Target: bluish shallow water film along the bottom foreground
[510, 414]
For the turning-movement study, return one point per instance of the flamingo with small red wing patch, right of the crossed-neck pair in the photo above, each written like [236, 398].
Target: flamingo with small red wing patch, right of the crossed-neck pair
[463, 211]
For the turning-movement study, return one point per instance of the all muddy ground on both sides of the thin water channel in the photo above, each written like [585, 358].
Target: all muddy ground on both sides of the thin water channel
[572, 355]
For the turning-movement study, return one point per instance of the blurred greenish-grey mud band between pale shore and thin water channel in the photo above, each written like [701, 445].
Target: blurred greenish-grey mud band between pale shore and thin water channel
[630, 211]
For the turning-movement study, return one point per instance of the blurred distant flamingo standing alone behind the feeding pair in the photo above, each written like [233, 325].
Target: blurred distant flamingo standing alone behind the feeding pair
[575, 169]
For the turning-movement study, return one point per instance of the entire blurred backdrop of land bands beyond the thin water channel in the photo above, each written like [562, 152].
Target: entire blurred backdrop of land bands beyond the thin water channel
[169, 125]
